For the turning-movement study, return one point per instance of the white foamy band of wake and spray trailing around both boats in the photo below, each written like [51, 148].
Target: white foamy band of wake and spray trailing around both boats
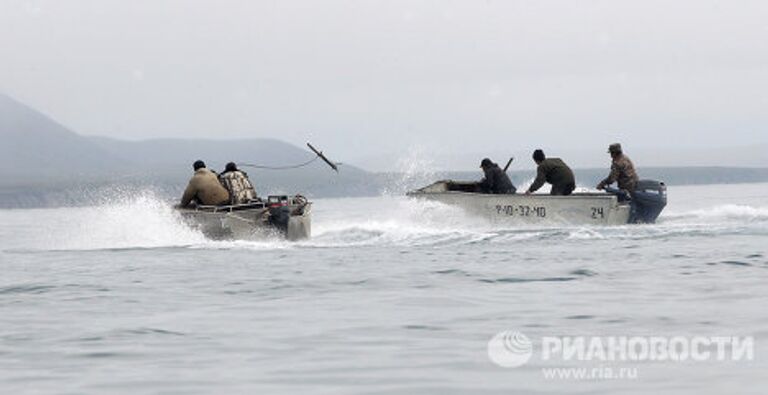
[145, 221]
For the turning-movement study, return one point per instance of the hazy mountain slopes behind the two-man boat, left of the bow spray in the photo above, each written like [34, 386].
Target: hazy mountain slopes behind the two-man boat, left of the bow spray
[39, 155]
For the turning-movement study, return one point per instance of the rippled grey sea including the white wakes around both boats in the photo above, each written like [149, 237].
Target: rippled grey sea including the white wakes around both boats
[390, 296]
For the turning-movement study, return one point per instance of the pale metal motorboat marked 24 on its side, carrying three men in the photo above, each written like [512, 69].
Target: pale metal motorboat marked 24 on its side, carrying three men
[575, 209]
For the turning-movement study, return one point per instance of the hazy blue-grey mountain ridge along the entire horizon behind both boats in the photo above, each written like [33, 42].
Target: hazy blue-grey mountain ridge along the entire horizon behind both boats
[42, 163]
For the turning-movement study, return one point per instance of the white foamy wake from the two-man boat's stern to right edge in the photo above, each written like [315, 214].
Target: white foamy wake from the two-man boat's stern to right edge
[410, 223]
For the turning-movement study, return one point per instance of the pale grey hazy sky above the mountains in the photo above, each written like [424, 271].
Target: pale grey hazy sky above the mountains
[393, 79]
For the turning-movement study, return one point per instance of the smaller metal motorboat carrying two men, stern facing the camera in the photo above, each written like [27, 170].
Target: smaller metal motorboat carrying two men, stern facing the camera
[278, 216]
